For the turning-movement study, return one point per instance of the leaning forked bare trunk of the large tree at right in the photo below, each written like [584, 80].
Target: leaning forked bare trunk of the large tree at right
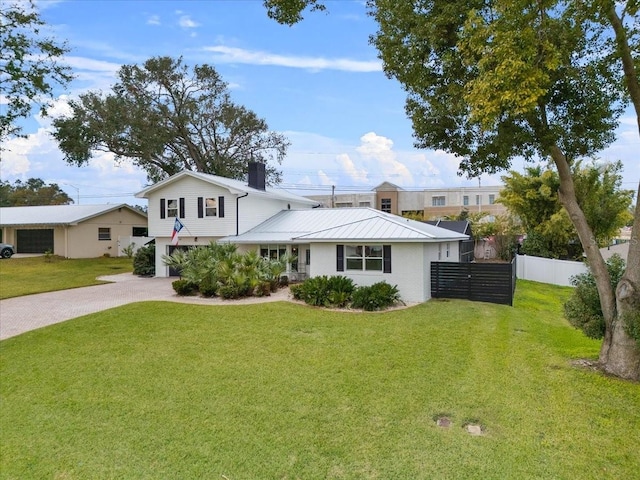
[620, 353]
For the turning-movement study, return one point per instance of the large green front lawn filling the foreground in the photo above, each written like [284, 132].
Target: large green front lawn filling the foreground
[284, 391]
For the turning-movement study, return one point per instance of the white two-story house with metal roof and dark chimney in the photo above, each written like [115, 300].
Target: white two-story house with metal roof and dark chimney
[362, 243]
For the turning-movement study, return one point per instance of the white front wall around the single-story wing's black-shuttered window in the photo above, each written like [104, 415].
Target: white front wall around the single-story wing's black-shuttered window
[406, 259]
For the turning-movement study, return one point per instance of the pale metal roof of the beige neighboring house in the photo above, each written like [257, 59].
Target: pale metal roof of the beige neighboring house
[56, 214]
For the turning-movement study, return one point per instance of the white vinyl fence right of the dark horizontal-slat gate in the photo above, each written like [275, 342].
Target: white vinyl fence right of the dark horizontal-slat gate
[548, 270]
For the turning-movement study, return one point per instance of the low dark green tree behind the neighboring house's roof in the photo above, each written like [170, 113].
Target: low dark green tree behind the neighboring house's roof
[32, 192]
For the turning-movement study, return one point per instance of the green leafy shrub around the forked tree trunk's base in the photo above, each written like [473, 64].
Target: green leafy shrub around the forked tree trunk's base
[583, 309]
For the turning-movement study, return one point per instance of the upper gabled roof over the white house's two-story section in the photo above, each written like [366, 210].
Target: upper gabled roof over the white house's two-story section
[234, 186]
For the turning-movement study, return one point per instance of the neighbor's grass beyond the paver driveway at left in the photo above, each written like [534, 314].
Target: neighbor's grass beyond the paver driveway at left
[24, 276]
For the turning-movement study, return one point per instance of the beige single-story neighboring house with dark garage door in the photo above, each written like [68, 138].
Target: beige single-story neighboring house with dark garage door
[71, 231]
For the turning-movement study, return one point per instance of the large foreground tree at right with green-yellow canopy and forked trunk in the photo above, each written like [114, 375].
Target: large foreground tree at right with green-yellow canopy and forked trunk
[493, 80]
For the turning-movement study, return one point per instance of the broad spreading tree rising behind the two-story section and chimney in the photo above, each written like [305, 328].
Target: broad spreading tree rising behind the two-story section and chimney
[167, 118]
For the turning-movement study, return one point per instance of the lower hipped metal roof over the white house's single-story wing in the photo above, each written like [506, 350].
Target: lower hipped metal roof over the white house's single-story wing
[342, 224]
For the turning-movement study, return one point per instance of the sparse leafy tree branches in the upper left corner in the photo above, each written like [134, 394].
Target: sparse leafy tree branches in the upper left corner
[30, 64]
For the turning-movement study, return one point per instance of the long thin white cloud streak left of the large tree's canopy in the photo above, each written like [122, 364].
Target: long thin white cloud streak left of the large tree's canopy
[223, 54]
